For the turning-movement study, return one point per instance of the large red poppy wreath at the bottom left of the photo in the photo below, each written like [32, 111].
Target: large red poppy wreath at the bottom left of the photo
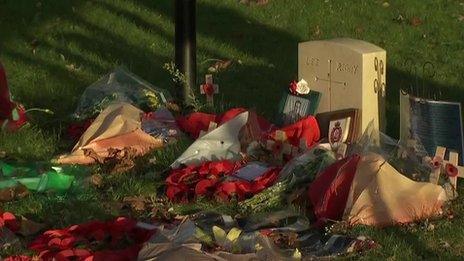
[119, 239]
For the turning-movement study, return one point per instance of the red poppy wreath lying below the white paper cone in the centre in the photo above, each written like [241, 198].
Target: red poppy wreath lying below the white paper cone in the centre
[214, 179]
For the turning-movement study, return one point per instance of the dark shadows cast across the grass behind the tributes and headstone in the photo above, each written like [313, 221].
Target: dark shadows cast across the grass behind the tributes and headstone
[250, 85]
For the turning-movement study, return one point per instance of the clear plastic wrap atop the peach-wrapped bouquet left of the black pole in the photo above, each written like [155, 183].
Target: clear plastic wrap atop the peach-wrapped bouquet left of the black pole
[120, 86]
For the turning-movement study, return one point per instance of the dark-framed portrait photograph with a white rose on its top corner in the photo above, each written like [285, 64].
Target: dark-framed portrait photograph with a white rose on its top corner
[294, 107]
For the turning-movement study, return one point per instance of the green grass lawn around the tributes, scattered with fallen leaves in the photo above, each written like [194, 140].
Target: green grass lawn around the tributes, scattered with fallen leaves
[54, 49]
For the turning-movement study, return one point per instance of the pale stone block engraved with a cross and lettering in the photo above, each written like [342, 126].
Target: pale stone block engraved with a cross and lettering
[350, 74]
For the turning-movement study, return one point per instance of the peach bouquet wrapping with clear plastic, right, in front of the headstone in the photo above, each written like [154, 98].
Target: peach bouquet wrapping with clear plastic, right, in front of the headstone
[381, 194]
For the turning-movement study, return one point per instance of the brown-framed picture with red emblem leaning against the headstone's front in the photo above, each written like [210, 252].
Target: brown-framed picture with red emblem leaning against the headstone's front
[338, 126]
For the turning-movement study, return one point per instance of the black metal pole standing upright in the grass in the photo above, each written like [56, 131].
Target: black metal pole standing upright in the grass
[186, 45]
